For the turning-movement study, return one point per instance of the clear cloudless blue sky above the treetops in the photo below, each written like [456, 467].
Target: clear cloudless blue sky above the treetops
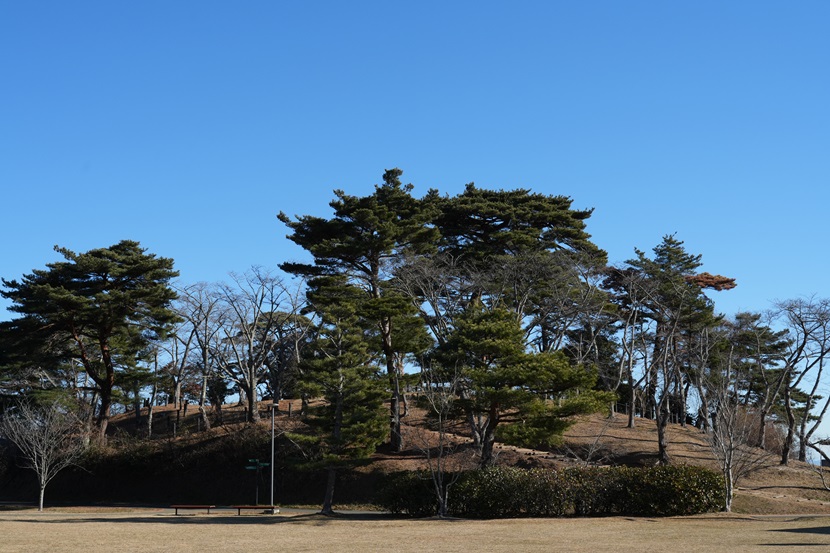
[188, 125]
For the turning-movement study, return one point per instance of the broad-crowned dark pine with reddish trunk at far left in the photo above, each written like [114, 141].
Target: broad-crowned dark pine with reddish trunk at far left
[100, 308]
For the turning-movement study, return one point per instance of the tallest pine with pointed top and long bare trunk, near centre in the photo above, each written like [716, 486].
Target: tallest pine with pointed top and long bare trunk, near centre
[363, 242]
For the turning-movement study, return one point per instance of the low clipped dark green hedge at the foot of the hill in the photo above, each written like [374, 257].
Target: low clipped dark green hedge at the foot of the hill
[505, 492]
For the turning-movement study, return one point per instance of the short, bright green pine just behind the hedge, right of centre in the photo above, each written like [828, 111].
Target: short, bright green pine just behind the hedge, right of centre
[522, 398]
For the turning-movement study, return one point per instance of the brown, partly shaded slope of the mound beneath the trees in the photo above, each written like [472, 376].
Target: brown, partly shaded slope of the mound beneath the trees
[183, 462]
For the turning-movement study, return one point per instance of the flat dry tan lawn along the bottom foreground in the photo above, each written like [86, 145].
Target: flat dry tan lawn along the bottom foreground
[150, 532]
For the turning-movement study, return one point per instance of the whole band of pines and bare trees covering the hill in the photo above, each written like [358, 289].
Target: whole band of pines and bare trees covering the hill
[491, 308]
